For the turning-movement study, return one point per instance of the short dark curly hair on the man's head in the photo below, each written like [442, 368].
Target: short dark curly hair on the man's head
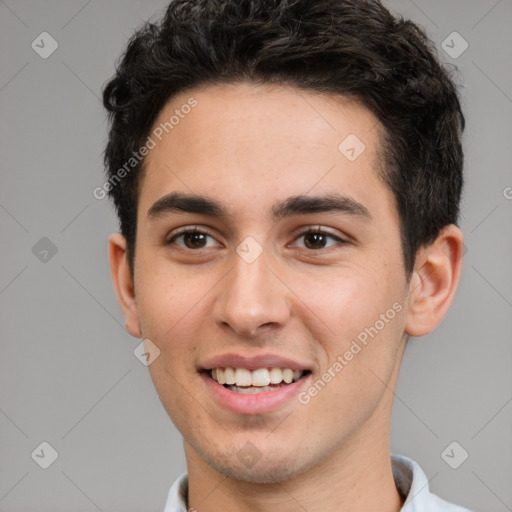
[355, 48]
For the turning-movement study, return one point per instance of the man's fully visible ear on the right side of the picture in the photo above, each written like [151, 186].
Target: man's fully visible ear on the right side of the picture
[434, 281]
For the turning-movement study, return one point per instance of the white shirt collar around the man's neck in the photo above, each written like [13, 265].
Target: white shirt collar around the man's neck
[410, 481]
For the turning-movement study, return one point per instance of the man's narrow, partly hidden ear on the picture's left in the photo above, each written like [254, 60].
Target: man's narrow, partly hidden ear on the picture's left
[123, 283]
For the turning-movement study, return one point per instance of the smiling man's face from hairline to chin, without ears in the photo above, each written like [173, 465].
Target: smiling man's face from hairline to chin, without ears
[293, 263]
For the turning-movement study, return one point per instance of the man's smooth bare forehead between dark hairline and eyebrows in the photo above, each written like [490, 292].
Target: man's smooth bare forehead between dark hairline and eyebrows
[257, 141]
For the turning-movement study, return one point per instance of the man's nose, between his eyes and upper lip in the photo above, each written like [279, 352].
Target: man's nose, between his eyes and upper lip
[253, 298]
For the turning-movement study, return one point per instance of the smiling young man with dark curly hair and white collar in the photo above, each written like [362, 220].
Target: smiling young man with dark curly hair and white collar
[287, 176]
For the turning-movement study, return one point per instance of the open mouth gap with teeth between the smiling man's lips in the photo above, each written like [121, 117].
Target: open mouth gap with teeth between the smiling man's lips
[262, 380]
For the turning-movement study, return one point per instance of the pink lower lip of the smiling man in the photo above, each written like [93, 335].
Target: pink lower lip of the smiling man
[257, 403]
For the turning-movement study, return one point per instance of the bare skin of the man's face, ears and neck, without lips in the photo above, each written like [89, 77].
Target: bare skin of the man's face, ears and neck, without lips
[249, 146]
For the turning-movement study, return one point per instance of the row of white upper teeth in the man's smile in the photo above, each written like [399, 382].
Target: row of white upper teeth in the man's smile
[259, 377]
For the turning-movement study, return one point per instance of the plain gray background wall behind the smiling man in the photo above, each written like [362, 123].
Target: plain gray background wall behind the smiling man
[68, 375]
